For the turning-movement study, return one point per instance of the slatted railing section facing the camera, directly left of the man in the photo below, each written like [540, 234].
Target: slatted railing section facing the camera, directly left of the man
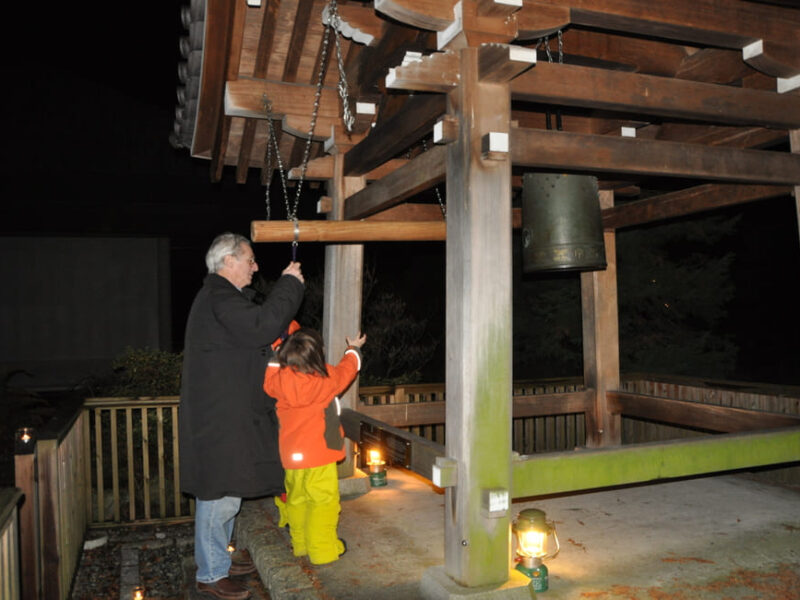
[133, 471]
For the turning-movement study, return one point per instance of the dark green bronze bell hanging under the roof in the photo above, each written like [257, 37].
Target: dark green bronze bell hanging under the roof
[562, 229]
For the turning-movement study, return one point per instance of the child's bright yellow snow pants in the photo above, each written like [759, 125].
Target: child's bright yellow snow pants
[312, 509]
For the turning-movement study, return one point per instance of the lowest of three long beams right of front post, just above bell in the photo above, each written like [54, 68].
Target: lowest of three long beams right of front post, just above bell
[540, 148]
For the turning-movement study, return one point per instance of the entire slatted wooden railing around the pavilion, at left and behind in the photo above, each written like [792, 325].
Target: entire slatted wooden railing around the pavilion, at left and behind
[115, 461]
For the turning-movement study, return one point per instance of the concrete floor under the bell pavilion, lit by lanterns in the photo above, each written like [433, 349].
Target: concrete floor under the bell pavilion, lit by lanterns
[715, 538]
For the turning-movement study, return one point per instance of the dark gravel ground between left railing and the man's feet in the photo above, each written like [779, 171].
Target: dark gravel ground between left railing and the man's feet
[165, 561]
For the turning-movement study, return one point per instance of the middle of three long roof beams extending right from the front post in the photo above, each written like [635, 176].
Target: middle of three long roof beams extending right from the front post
[571, 85]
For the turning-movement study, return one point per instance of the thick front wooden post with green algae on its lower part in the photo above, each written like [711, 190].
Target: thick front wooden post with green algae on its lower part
[478, 364]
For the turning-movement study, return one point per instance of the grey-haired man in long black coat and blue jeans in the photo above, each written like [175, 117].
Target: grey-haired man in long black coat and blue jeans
[228, 426]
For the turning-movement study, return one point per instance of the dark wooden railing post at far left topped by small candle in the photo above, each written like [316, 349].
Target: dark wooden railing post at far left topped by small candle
[25, 467]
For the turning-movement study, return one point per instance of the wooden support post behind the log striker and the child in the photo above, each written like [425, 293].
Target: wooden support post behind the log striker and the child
[341, 315]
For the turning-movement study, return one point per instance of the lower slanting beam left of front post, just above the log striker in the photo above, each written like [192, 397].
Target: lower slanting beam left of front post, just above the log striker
[420, 173]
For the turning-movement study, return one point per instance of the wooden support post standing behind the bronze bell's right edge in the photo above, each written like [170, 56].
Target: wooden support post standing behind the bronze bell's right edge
[601, 341]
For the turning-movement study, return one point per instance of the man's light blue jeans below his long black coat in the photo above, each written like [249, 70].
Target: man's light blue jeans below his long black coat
[213, 528]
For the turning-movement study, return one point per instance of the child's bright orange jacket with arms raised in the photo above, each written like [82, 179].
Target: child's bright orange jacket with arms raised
[308, 411]
